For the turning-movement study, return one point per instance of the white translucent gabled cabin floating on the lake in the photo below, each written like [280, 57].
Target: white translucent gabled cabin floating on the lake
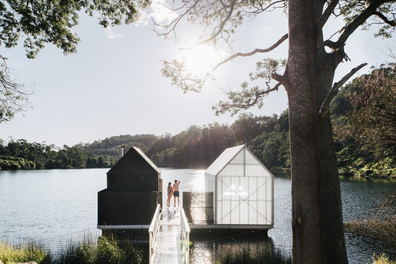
[243, 190]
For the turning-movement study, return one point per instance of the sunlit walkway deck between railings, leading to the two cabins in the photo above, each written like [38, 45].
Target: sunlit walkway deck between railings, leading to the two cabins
[168, 244]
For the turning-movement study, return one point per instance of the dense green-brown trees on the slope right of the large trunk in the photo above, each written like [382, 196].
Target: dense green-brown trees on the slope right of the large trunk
[363, 115]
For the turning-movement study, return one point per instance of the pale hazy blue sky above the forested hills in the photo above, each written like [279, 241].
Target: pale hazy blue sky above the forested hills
[114, 86]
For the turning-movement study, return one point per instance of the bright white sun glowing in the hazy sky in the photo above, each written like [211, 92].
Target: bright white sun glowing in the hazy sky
[201, 59]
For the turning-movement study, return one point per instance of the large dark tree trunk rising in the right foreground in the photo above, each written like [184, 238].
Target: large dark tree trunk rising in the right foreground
[316, 200]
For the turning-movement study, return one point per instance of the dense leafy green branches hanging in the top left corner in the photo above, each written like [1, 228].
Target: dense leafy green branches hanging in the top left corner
[41, 22]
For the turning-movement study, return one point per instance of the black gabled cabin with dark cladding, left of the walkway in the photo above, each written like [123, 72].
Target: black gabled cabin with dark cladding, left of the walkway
[132, 194]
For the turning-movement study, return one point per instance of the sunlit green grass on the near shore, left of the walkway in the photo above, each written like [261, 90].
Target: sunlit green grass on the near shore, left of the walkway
[104, 251]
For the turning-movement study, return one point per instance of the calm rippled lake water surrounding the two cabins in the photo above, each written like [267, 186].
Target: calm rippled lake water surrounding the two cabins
[59, 206]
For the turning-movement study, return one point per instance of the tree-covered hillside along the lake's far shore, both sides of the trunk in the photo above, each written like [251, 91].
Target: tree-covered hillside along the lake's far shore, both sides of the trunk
[364, 124]
